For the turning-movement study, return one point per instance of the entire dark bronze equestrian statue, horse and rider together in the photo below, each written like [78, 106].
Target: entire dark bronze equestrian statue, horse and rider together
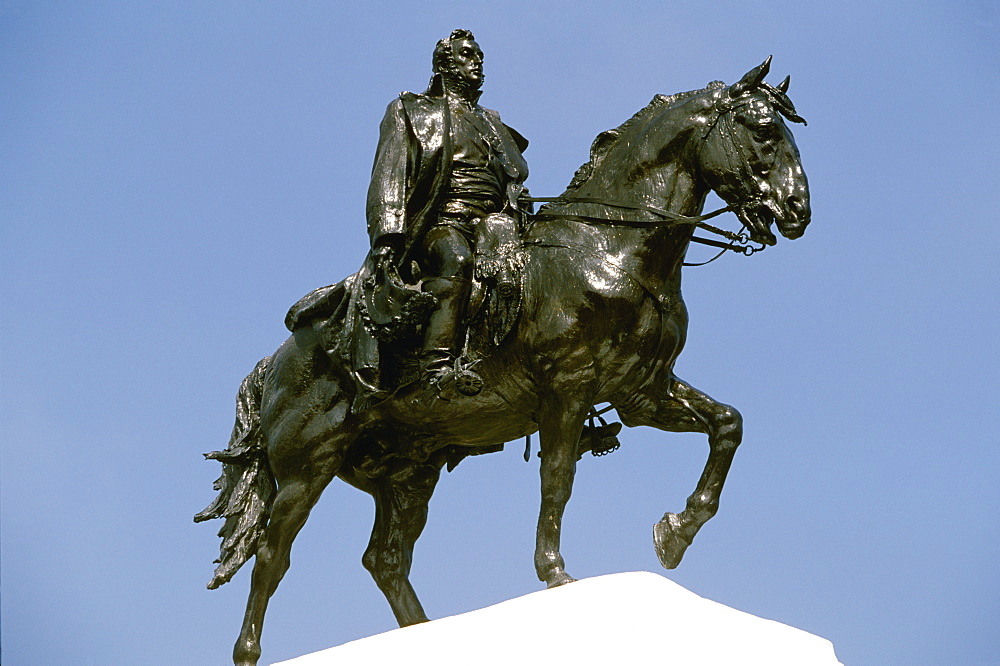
[592, 314]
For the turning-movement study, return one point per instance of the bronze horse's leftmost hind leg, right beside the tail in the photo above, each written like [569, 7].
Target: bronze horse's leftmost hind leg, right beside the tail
[297, 494]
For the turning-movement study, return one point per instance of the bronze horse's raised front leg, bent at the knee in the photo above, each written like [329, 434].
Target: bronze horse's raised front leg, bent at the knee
[686, 409]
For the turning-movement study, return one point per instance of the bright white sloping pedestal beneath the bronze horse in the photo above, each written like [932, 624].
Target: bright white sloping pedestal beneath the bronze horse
[630, 618]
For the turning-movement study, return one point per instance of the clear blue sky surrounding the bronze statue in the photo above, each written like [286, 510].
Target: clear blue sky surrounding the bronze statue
[174, 175]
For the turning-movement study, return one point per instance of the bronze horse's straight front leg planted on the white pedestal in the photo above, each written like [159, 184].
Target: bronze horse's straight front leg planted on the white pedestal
[560, 424]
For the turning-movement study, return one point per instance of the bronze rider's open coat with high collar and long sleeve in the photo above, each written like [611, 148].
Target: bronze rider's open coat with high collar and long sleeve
[413, 165]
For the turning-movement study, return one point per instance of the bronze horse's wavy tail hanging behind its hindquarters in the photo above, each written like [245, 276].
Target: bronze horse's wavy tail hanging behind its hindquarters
[246, 487]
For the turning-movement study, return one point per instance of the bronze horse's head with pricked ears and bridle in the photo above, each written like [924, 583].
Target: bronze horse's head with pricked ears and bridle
[750, 159]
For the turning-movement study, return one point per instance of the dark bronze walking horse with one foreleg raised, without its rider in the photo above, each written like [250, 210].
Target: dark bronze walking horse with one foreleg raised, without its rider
[601, 321]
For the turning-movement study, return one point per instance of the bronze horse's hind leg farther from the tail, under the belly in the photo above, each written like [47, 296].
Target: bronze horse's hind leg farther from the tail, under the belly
[401, 499]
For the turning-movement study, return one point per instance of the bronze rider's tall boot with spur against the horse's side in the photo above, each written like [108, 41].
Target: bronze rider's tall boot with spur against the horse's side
[444, 334]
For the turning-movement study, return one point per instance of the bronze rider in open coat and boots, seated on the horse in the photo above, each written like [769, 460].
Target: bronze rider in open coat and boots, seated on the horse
[442, 164]
